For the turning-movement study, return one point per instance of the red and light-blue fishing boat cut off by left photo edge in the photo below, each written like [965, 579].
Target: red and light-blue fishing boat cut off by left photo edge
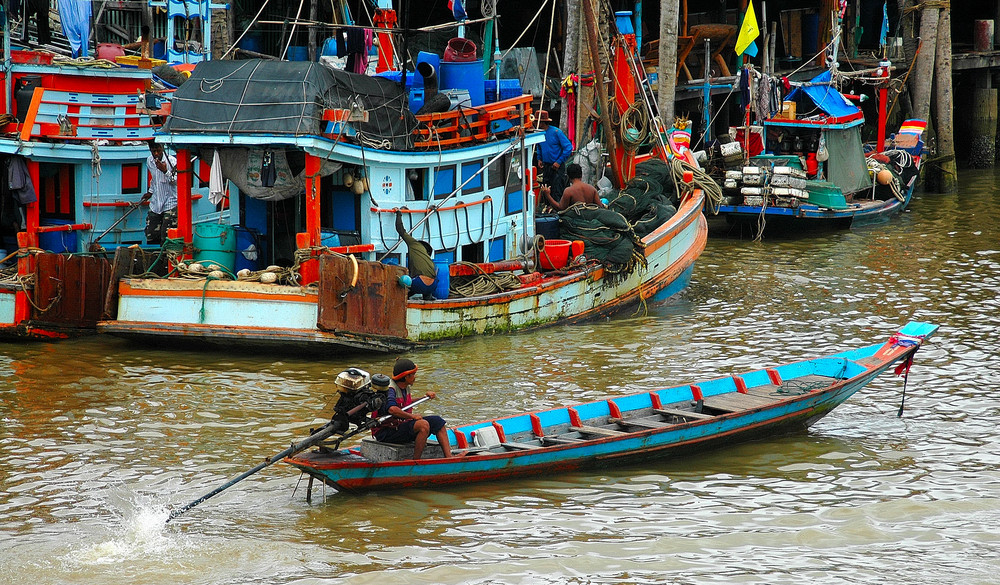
[80, 134]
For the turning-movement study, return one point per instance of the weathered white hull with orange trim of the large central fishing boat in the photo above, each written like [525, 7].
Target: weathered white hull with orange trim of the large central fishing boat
[229, 314]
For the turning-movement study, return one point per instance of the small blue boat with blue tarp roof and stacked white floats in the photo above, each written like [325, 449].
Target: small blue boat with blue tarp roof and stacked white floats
[812, 170]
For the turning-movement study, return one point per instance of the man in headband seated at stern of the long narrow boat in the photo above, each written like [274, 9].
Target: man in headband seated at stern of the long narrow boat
[406, 426]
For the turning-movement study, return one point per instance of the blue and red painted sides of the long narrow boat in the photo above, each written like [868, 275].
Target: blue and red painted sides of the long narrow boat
[849, 371]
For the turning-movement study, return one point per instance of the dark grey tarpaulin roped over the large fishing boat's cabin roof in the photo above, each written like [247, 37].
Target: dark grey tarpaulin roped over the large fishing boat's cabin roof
[288, 97]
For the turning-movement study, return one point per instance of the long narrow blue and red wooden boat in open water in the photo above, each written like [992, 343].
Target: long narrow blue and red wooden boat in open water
[660, 423]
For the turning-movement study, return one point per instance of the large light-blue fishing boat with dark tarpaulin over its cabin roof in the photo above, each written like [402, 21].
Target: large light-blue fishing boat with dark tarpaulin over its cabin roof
[461, 178]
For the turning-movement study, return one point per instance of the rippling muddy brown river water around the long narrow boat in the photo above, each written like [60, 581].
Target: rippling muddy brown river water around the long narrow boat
[99, 438]
